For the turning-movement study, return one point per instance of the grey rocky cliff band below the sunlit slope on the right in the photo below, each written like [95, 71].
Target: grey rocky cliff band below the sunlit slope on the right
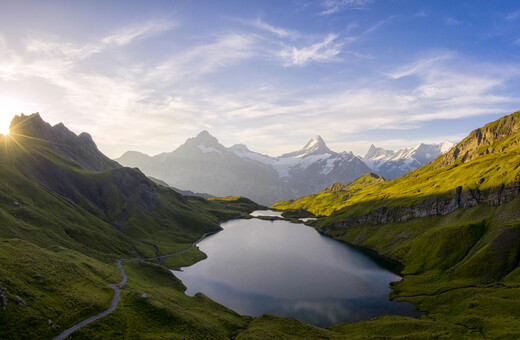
[460, 198]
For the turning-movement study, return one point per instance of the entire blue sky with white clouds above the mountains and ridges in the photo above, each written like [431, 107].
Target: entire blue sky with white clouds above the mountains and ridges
[147, 75]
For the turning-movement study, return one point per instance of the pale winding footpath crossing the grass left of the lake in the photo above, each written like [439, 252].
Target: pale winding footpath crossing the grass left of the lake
[116, 286]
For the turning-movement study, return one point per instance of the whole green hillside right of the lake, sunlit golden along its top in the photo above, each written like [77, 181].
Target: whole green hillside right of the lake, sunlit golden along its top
[455, 226]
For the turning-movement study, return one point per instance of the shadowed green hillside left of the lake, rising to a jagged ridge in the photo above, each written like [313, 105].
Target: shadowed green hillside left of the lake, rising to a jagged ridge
[67, 213]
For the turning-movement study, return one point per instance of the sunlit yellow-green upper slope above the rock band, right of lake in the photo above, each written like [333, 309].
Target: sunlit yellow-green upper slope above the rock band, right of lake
[491, 166]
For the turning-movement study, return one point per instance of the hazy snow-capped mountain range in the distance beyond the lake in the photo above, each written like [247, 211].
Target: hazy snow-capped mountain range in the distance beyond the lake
[202, 164]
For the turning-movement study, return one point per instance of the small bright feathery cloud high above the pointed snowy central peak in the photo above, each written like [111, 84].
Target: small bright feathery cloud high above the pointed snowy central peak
[325, 50]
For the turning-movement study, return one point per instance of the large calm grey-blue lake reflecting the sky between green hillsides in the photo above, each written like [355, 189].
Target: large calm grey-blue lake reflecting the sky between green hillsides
[256, 266]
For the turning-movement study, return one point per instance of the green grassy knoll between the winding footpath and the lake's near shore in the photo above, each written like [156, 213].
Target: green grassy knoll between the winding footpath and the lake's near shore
[166, 312]
